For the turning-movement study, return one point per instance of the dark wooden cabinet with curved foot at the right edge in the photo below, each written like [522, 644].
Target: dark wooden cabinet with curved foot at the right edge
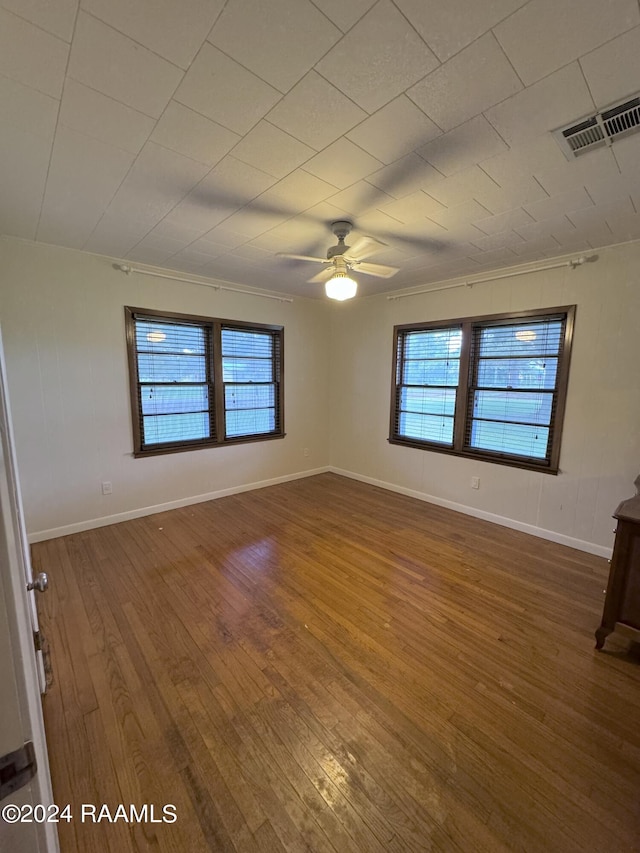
[622, 604]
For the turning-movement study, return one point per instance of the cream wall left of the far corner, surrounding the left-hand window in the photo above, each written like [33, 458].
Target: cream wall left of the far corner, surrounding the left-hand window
[63, 328]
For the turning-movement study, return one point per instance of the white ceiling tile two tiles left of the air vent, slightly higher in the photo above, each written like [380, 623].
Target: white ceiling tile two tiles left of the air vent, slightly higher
[470, 82]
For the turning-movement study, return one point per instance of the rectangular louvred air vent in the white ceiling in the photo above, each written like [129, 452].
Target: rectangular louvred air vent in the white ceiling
[599, 129]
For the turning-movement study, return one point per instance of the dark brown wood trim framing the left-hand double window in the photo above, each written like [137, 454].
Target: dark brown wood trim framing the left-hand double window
[212, 329]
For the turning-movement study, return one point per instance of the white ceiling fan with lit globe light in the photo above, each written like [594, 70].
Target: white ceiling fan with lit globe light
[342, 259]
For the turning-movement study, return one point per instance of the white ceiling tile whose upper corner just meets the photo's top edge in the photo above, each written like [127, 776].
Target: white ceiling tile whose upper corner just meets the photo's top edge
[378, 59]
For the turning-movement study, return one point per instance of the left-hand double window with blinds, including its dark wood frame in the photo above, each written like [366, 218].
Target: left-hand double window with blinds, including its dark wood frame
[199, 382]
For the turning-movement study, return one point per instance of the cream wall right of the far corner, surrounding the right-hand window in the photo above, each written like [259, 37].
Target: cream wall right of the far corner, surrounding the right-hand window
[601, 443]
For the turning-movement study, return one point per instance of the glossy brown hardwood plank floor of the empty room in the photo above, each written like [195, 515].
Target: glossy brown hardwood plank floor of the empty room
[326, 666]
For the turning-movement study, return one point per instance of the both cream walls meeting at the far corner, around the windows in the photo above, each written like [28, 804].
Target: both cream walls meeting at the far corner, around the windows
[63, 328]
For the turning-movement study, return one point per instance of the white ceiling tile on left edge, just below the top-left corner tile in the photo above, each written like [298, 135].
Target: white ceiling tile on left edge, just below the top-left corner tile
[31, 56]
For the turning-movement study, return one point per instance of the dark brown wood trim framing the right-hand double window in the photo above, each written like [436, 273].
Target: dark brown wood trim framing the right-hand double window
[470, 328]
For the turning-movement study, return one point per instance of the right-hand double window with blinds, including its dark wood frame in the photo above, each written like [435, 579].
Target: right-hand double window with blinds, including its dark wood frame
[491, 388]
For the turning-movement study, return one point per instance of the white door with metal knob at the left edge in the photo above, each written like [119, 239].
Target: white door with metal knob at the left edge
[23, 827]
